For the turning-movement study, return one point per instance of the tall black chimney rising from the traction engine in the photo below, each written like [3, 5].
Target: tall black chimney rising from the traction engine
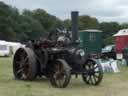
[74, 16]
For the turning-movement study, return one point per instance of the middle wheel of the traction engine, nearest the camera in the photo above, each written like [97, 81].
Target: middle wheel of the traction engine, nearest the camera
[61, 75]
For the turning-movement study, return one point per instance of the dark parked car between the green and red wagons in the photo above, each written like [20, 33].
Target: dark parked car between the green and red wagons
[109, 51]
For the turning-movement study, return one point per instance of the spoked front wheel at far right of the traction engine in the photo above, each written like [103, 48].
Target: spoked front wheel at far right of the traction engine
[94, 73]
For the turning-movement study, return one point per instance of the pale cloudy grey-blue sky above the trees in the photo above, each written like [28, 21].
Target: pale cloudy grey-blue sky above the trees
[103, 10]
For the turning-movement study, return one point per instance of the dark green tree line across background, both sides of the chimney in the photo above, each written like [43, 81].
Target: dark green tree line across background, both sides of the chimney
[35, 24]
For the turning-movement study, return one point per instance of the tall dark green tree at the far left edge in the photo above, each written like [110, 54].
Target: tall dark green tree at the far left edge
[6, 30]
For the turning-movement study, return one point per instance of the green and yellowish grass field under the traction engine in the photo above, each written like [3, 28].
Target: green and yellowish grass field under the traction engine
[112, 85]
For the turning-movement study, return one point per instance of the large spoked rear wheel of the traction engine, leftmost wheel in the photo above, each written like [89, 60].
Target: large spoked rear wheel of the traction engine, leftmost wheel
[24, 64]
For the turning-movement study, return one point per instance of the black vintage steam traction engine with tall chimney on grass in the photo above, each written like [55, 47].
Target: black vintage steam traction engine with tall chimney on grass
[56, 60]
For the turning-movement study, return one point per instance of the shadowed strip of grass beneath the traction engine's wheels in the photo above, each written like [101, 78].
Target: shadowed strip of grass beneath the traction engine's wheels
[73, 84]
